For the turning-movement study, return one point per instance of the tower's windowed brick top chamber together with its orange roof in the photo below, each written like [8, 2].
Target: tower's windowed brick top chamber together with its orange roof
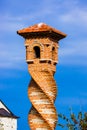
[42, 43]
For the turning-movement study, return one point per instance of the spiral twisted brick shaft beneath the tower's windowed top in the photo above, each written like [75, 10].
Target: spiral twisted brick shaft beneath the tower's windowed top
[42, 93]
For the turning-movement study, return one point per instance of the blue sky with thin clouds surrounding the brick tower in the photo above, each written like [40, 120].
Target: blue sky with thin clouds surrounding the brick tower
[69, 16]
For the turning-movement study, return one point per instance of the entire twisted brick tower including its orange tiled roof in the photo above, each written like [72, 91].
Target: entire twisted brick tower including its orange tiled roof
[41, 42]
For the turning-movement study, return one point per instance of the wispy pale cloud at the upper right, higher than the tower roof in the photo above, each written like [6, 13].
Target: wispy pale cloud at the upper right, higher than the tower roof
[77, 16]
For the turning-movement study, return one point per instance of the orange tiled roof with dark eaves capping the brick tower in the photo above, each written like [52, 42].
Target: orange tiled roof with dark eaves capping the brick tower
[41, 30]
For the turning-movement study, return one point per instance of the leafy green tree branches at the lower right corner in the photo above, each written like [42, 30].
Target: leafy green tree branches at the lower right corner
[74, 122]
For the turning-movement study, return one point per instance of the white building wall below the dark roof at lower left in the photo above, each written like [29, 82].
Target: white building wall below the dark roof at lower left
[8, 123]
